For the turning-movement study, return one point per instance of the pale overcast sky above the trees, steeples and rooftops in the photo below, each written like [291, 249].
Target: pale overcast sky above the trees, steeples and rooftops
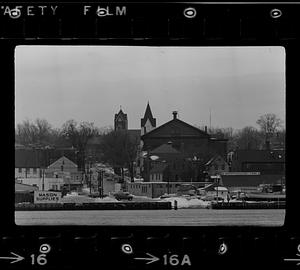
[90, 83]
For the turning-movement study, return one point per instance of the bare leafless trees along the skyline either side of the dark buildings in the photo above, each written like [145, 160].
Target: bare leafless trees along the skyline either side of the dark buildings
[119, 149]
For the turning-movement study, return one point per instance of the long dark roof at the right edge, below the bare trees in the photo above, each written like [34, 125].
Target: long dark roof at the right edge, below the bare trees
[260, 155]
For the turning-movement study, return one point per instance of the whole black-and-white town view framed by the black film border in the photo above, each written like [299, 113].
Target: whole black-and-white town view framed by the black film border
[150, 135]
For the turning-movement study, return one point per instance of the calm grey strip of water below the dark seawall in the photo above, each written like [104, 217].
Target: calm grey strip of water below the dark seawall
[180, 217]
